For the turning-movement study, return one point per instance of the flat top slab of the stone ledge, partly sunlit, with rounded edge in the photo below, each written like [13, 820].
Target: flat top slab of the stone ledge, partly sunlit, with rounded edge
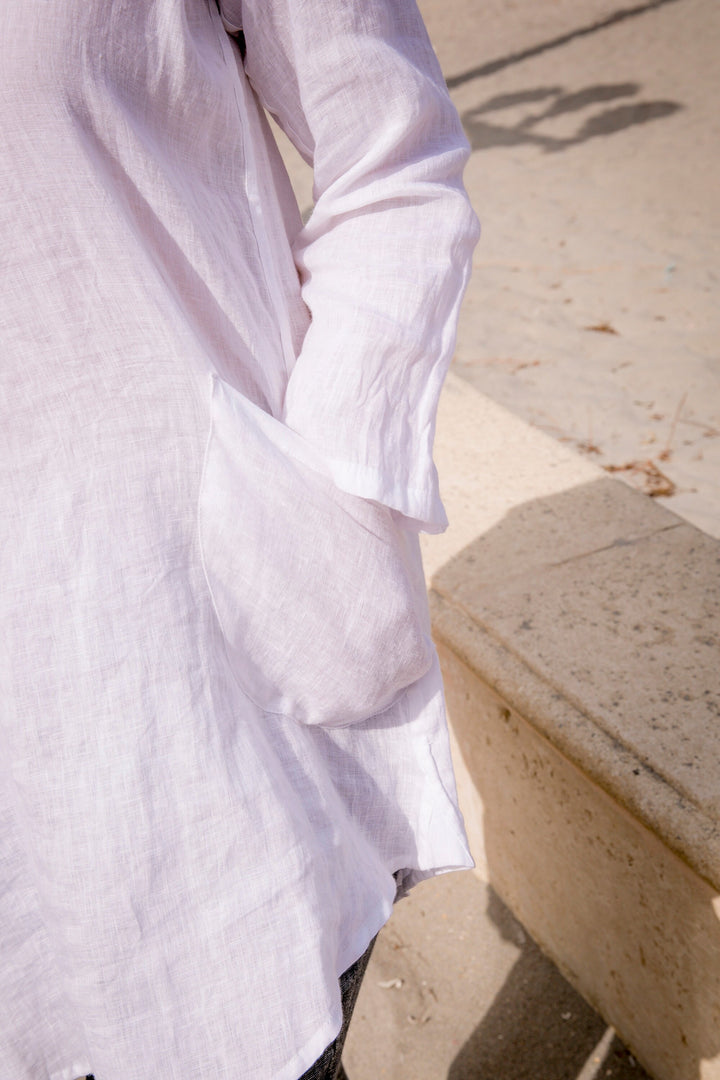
[593, 611]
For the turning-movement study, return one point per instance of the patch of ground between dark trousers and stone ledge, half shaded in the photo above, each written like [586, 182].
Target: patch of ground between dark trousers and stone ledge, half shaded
[457, 990]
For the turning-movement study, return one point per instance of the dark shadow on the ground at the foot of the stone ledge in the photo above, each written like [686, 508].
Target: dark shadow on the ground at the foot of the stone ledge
[539, 1027]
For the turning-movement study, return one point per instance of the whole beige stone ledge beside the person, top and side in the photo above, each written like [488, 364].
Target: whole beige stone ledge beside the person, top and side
[578, 624]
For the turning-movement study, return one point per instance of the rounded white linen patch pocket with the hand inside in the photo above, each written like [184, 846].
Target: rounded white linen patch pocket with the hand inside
[310, 585]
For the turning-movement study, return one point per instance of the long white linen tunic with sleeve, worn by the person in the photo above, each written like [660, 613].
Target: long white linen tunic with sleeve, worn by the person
[185, 870]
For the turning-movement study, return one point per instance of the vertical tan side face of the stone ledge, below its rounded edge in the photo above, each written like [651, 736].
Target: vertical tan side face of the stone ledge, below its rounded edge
[631, 925]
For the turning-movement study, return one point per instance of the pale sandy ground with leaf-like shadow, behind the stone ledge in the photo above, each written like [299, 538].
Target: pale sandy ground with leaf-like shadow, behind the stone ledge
[594, 310]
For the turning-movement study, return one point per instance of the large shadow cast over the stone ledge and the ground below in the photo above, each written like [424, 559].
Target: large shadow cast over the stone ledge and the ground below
[579, 645]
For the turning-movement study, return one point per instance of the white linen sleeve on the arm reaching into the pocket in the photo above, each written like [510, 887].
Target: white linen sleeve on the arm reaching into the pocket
[386, 255]
